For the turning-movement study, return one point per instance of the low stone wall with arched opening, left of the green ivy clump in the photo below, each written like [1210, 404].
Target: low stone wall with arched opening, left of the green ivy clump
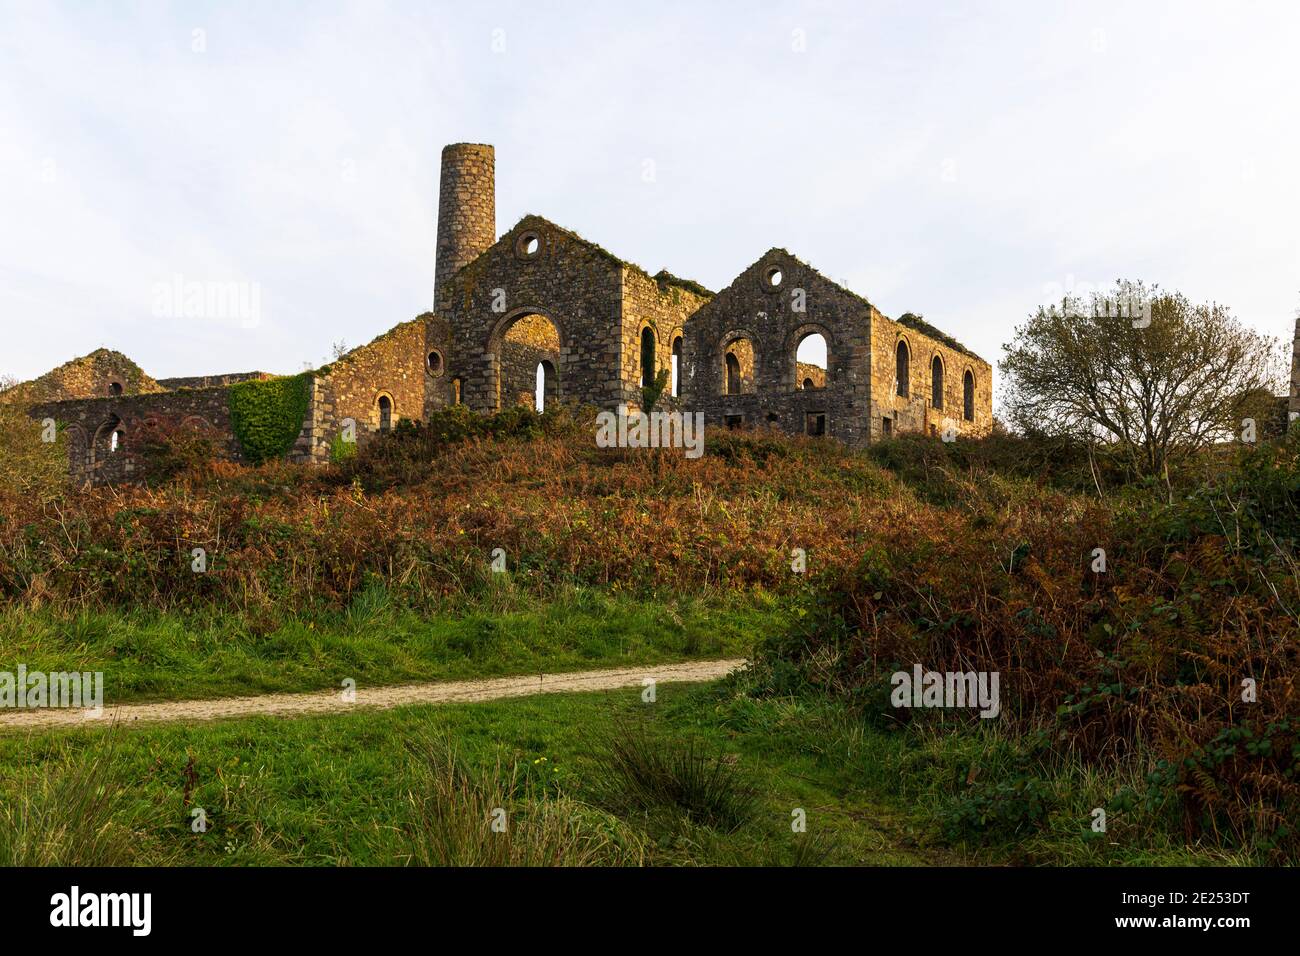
[90, 425]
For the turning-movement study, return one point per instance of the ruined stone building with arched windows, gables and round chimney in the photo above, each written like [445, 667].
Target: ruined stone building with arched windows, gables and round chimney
[541, 315]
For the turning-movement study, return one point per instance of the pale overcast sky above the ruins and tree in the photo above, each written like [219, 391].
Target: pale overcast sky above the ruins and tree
[955, 159]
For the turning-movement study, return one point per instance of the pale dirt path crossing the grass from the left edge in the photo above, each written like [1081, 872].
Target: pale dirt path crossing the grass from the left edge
[382, 698]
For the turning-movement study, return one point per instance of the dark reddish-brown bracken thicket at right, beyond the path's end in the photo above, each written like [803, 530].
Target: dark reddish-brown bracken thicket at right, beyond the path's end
[1146, 660]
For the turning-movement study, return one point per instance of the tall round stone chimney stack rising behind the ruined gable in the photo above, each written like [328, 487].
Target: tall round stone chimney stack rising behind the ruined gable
[467, 209]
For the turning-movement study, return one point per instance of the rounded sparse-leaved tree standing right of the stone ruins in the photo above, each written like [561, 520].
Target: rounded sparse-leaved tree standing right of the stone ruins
[1141, 373]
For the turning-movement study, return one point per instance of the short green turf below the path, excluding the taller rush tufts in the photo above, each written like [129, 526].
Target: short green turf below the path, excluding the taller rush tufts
[348, 789]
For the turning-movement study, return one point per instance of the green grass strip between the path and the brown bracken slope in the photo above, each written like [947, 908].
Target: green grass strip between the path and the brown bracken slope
[150, 657]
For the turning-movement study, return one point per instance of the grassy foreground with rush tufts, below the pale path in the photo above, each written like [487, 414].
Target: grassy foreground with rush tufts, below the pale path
[704, 776]
